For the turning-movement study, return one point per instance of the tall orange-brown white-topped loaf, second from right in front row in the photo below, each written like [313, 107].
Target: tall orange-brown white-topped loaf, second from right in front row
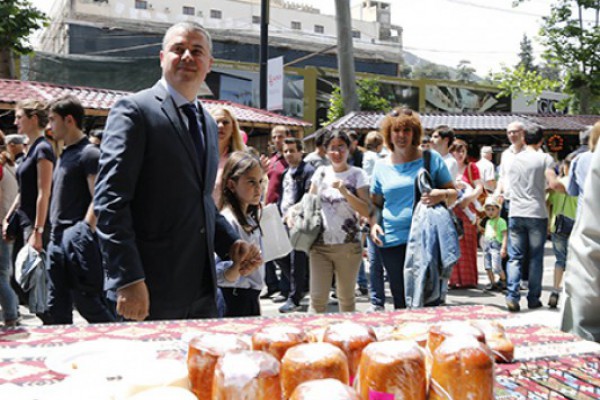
[394, 368]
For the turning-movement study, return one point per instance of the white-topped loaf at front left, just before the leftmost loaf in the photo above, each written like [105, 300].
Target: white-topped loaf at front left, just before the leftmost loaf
[247, 375]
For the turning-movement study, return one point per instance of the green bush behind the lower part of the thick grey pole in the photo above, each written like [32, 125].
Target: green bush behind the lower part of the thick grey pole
[369, 98]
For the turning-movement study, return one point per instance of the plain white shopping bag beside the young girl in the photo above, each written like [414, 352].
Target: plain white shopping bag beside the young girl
[275, 240]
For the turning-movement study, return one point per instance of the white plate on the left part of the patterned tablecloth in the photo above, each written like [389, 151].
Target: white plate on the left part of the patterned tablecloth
[104, 358]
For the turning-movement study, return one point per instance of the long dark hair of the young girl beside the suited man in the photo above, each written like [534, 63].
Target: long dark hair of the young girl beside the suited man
[238, 164]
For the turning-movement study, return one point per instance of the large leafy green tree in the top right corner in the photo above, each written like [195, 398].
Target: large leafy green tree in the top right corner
[571, 38]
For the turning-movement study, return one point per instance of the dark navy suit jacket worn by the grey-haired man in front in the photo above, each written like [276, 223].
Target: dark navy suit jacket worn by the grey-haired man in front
[156, 217]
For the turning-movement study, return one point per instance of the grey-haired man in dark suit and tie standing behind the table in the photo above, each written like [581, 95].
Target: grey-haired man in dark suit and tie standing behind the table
[157, 222]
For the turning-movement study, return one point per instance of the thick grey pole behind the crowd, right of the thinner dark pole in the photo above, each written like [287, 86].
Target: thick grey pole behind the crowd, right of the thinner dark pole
[346, 56]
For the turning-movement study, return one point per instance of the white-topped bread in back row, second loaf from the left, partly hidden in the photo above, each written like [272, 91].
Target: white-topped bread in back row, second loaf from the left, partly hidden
[277, 339]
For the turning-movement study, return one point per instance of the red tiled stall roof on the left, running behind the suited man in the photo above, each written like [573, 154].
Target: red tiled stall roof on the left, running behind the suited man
[99, 101]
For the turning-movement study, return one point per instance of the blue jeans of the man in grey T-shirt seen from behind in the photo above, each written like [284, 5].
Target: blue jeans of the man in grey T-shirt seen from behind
[526, 238]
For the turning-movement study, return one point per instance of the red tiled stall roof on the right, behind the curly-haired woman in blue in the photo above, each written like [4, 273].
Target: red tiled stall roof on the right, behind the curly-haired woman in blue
[371, 120]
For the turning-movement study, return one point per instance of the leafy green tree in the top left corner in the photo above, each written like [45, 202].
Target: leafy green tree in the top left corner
[18, 20]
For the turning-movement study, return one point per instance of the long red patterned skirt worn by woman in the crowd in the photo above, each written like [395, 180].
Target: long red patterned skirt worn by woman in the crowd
[464, 274]
